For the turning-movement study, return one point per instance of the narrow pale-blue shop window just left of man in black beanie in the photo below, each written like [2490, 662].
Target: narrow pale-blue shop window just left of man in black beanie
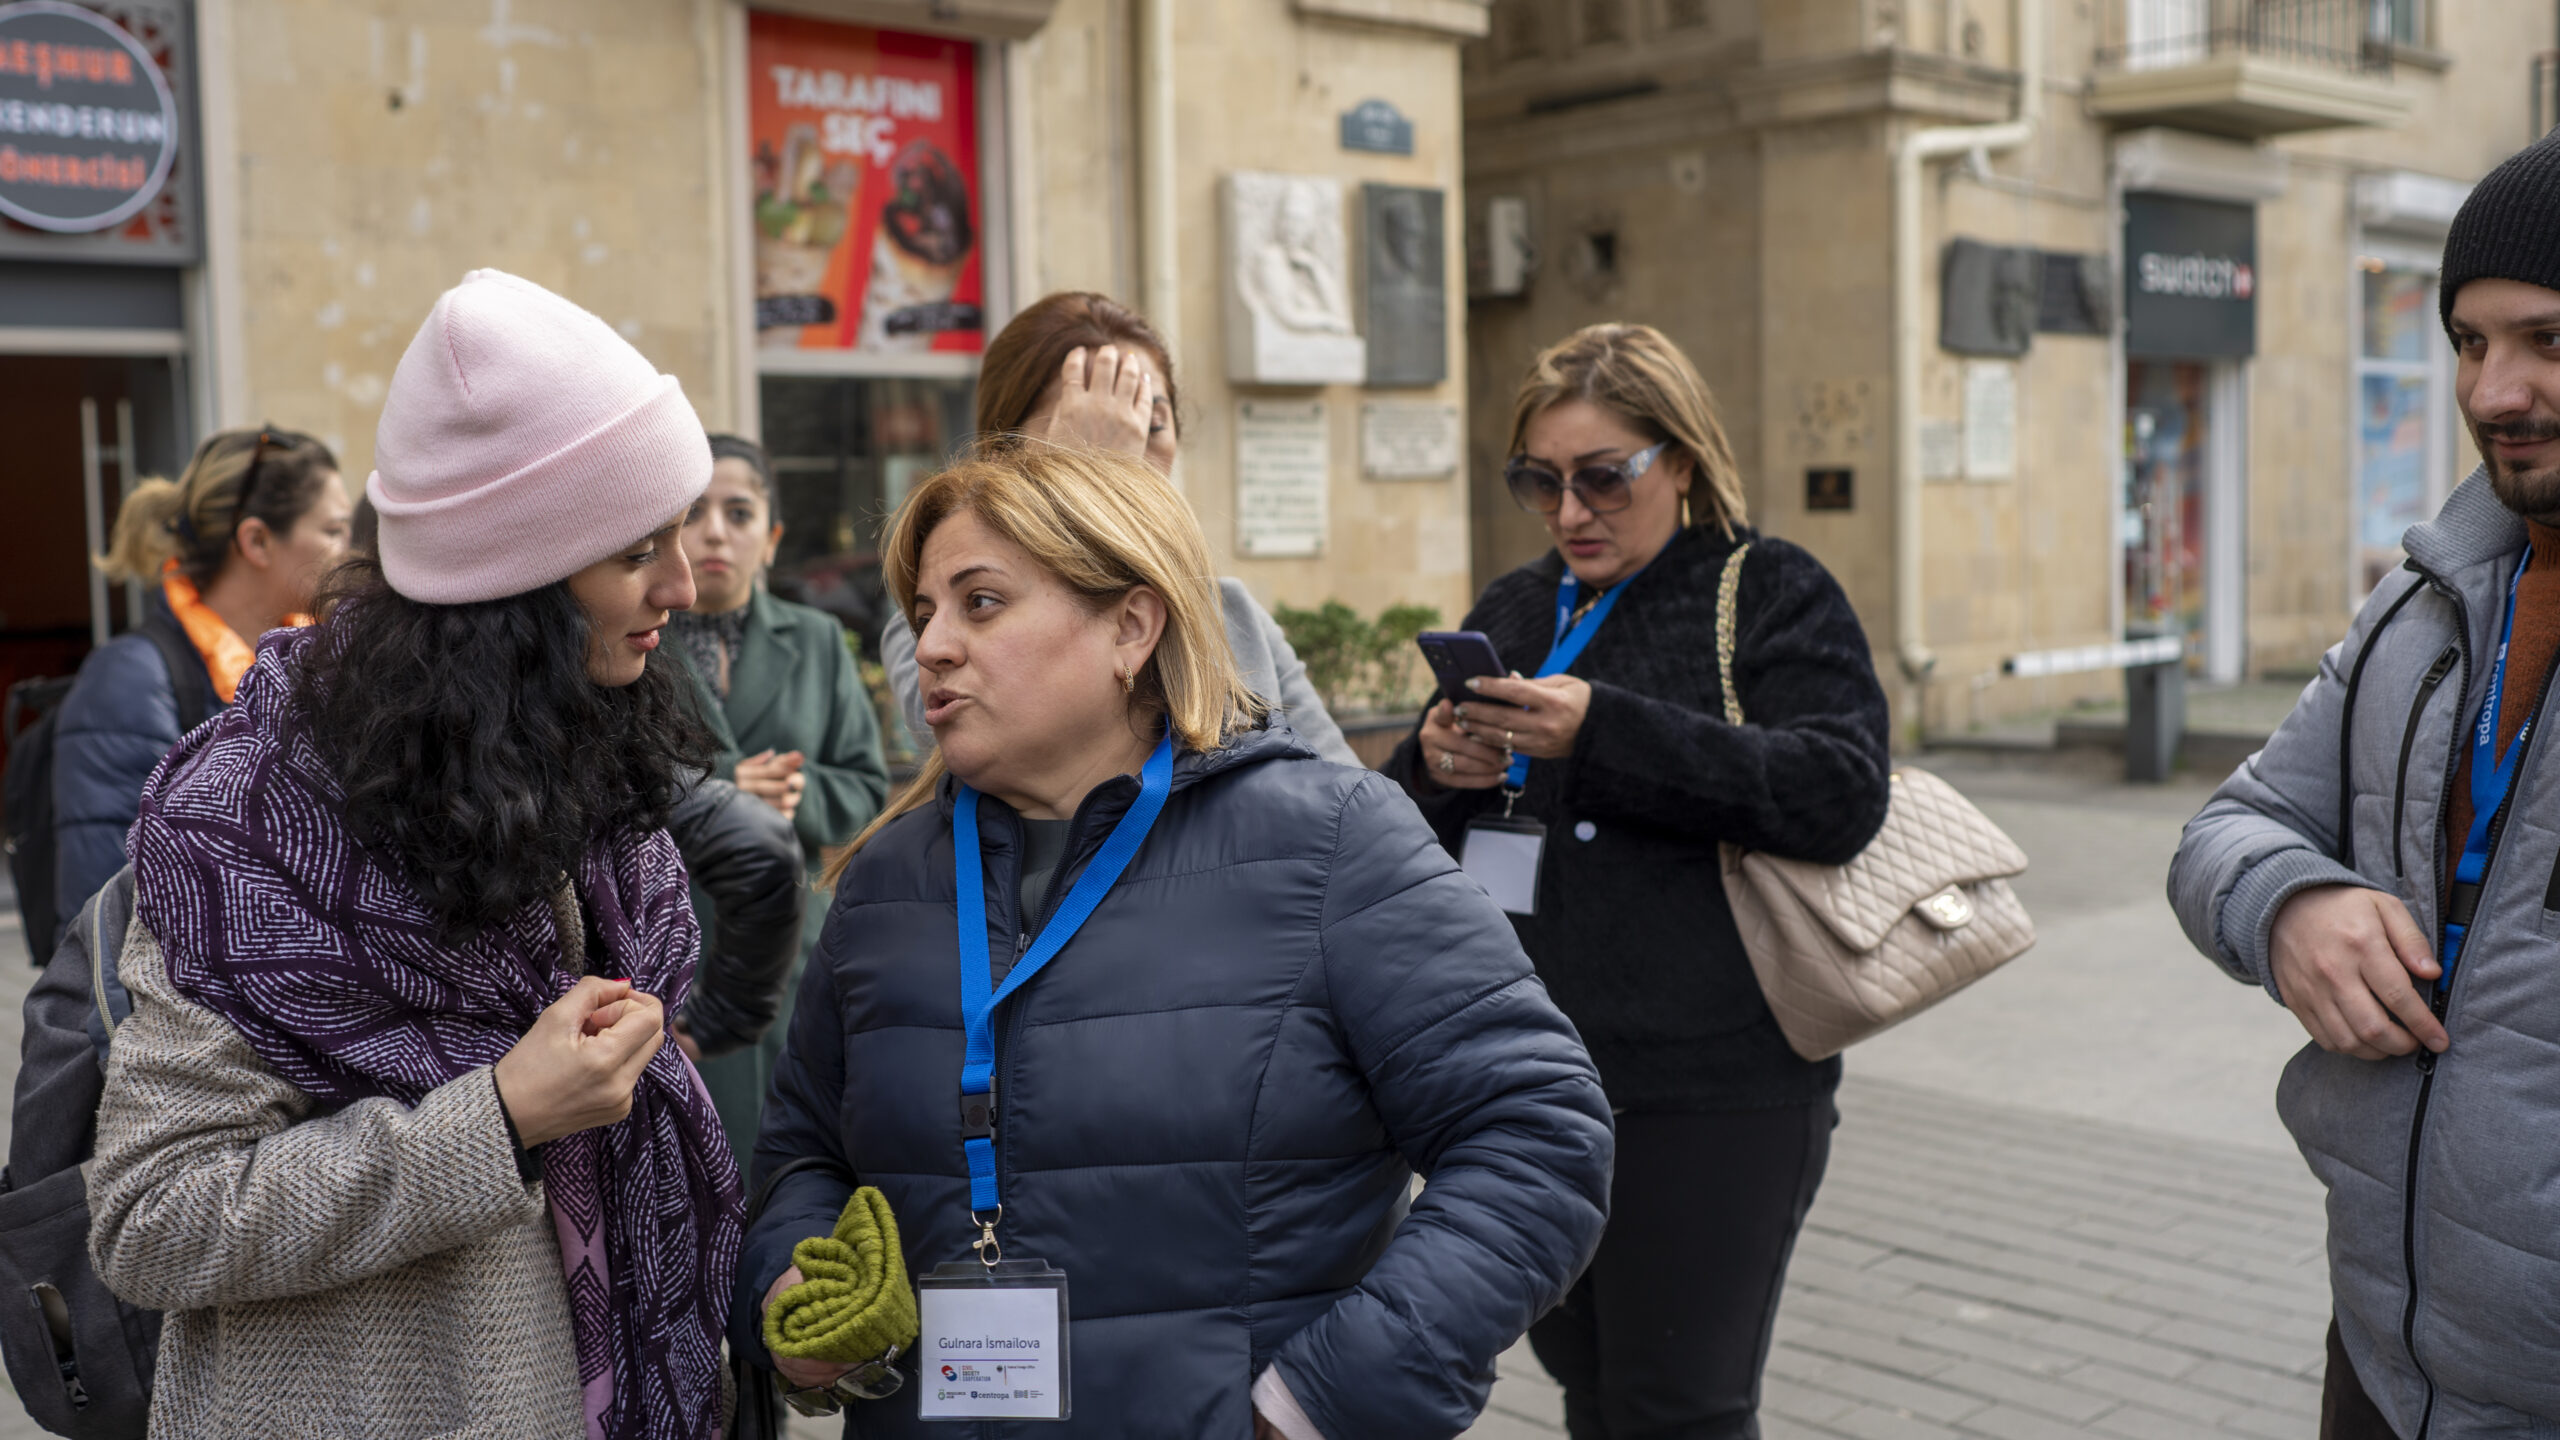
[2400, 414]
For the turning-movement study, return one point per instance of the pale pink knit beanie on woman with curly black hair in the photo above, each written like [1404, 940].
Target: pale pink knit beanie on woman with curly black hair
[524, 442]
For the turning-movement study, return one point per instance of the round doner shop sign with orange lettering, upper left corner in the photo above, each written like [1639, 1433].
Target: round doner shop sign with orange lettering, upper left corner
[88, 122]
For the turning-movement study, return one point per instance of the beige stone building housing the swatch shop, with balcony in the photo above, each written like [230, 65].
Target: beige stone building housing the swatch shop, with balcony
[2167, 291]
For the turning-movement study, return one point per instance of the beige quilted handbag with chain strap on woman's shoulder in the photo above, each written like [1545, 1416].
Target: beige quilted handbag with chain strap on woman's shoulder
[1926, 911]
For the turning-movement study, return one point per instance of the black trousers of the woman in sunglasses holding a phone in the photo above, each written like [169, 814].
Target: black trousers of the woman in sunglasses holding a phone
[1668, 1334]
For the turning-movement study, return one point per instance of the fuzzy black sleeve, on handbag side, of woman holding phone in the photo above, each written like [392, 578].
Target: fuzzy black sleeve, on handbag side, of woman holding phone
[1809, 770]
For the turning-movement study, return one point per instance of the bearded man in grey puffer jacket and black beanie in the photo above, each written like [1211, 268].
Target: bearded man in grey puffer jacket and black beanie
[2390, 870]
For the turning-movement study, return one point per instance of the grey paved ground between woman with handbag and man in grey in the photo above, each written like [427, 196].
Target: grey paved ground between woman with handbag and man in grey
[2060, 1203]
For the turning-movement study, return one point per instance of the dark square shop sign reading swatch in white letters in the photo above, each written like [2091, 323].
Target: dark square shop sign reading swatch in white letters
[2190, 278]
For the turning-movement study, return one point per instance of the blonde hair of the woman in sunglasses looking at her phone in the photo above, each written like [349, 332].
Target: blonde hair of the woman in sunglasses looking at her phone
[1640, 375]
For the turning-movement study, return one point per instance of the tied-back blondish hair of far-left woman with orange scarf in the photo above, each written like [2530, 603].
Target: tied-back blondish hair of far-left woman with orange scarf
[237, 475]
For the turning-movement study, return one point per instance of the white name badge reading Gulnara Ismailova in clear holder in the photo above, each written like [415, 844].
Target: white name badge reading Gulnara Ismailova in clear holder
[995, 1341]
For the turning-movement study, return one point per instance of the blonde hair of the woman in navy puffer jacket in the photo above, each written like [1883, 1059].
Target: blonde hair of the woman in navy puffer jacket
[1105, 524]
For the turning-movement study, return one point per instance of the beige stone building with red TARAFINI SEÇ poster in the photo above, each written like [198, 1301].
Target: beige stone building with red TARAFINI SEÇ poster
[813, 214]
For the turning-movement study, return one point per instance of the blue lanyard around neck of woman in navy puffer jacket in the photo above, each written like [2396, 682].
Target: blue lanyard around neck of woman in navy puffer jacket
[979, 995]
